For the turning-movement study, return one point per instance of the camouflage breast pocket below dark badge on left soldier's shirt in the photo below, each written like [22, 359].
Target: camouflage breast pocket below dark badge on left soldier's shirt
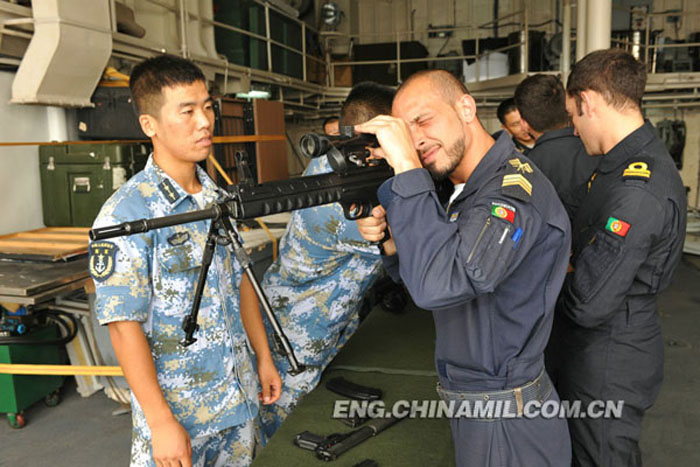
[177, 274]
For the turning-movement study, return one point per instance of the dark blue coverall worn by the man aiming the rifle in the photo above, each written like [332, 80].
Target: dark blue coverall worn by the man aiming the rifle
[492, 280]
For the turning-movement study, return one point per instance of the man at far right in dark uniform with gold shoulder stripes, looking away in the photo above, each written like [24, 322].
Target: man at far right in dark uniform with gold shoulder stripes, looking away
[627, 240]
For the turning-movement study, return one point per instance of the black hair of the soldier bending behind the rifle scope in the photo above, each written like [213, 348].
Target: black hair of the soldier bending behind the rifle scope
[365, 101]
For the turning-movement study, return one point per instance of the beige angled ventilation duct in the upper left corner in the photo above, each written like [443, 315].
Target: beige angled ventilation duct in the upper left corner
[69, 50]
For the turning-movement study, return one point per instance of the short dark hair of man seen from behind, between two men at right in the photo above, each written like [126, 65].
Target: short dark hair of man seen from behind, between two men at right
[541, 101]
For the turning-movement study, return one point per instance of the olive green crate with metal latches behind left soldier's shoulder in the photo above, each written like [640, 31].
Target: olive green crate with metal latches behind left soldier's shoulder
[77, 179]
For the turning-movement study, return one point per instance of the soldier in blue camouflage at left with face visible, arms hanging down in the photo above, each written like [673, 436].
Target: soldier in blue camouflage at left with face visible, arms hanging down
[194, 405]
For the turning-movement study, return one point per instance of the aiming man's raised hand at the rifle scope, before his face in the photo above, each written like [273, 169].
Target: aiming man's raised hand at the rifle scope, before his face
[394, 137]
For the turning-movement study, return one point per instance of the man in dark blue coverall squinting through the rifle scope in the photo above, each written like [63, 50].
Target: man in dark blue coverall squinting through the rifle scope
[490, 265]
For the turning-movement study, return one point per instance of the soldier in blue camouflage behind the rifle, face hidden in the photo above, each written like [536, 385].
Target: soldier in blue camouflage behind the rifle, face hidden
[325, 267]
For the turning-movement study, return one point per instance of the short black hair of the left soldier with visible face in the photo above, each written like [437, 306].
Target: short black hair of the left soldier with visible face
[149, 77]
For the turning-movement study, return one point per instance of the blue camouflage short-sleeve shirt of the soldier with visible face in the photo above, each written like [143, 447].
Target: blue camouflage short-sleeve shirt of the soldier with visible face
[150, 278]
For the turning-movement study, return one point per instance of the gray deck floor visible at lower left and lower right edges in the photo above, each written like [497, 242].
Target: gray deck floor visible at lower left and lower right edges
[83, 432]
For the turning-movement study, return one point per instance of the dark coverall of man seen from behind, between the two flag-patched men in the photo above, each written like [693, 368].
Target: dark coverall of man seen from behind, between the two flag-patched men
[563, 159]
